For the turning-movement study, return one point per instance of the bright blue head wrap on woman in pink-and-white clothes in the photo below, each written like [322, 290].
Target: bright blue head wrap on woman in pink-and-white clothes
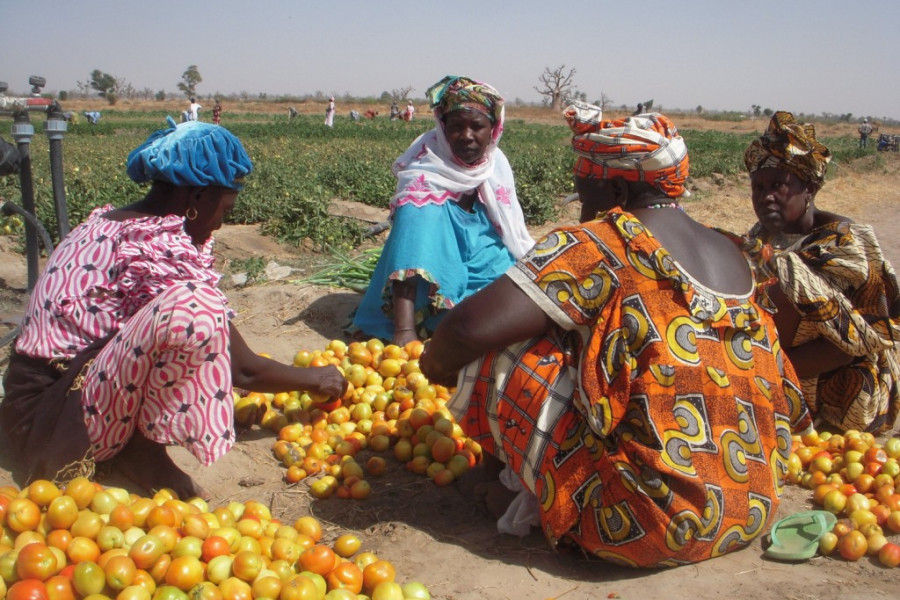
[192, 153]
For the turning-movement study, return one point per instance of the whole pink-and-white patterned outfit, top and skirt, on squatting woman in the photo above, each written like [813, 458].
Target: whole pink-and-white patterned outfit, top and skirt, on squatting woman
[167, 369]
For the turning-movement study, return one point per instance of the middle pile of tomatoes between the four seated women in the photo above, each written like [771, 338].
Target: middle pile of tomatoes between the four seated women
[389, 407]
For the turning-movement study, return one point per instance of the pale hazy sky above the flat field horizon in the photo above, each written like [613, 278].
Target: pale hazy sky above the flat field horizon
[805, 56]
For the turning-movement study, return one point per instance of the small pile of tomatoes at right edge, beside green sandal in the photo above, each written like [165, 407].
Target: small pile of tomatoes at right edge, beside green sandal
[856, 478]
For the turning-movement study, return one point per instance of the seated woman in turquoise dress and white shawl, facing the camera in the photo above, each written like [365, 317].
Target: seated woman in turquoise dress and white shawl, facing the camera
[456, 221]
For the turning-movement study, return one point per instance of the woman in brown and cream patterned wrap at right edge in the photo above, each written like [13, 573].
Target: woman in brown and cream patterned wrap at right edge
[837, 296]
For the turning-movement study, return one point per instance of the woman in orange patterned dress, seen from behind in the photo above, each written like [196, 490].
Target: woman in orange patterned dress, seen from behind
[633, 383]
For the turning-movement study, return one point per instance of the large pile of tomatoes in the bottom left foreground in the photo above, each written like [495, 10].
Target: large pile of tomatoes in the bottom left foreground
[87, 542]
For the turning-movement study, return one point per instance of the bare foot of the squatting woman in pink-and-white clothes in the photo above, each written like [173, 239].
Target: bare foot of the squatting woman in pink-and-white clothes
[147, 463]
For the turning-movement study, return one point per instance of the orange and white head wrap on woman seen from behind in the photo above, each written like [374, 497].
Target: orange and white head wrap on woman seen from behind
[644, 148]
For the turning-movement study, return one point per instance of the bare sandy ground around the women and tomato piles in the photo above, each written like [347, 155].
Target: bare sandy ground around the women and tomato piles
[435, 535]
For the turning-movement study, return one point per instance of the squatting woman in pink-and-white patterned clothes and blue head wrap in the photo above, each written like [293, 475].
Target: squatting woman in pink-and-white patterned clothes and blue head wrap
[127, 344]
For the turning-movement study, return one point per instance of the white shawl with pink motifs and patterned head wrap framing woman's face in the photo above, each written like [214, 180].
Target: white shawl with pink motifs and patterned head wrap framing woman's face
[429, 173]
